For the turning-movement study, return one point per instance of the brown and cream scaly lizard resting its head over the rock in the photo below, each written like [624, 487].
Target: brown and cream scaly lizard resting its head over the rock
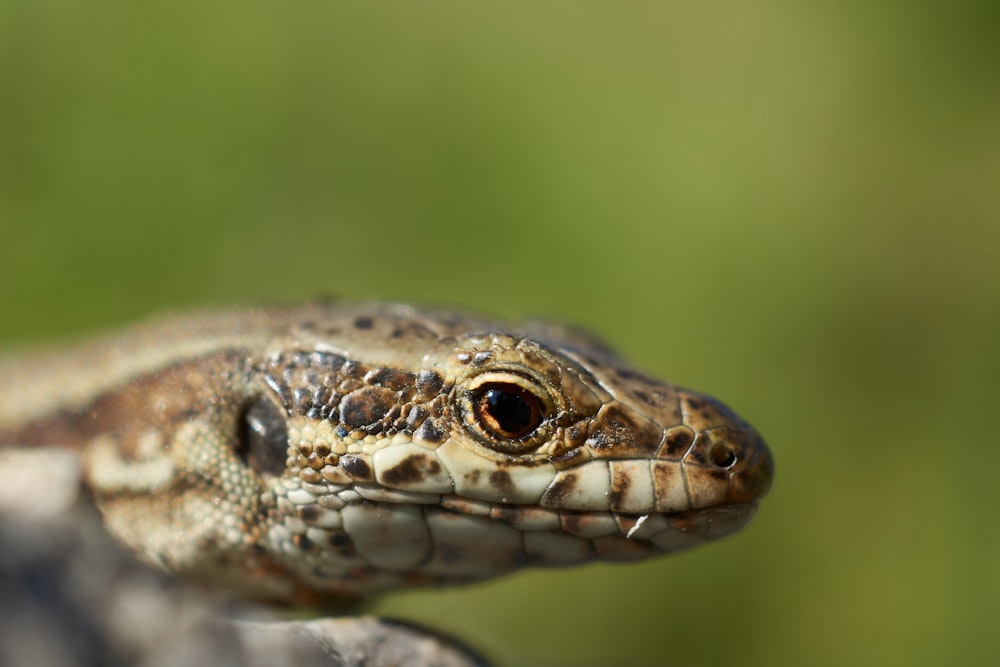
[315, 454]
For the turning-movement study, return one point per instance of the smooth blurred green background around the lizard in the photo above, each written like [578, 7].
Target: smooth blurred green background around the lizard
[795, 207]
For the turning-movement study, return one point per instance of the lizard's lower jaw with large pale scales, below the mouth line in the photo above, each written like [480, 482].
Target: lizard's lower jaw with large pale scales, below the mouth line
[384, 543]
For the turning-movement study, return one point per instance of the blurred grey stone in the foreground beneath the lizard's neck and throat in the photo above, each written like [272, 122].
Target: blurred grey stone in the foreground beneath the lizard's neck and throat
[71, 597]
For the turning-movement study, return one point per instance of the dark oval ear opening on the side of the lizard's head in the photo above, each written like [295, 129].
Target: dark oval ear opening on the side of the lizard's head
[262, 437]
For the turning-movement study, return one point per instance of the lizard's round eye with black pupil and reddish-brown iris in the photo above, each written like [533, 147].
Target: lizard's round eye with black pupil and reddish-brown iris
[506, 411]
